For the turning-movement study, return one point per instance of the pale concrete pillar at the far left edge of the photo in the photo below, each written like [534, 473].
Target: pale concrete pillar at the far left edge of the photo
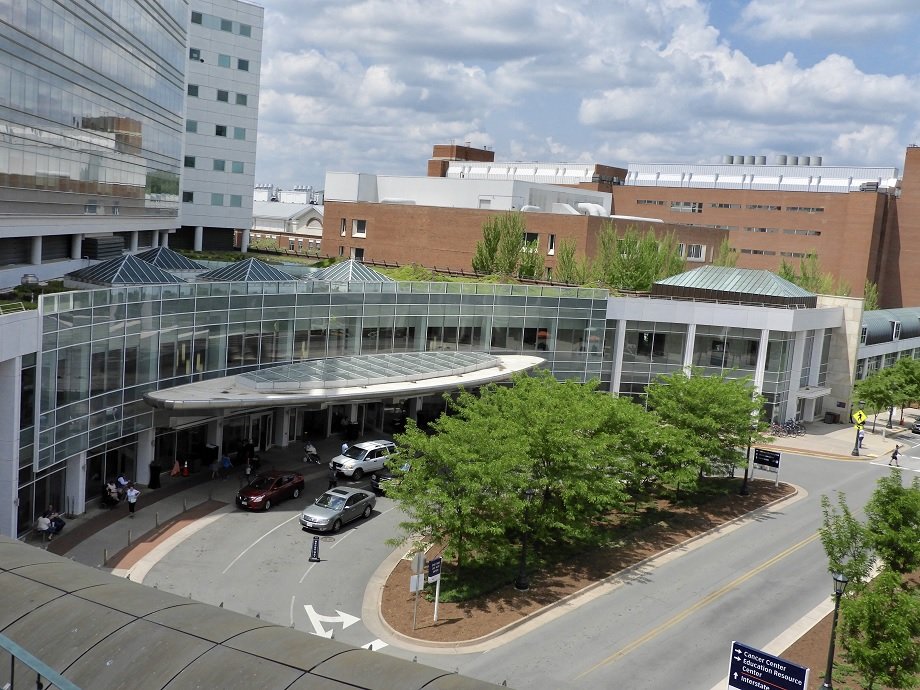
[9, 446]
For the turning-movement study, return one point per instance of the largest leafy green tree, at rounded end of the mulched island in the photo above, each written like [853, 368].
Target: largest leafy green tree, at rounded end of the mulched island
[469, 480]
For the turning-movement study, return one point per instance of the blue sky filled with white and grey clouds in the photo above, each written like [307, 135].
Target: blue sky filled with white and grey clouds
[371, 85]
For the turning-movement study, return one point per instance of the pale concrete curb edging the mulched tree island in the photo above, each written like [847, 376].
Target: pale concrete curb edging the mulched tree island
[373, 597]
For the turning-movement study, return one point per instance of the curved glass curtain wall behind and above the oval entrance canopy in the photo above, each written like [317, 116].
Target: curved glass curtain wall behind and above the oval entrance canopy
[103, 349]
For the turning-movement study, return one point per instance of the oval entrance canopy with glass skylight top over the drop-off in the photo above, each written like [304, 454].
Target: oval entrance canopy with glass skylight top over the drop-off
[337, 380]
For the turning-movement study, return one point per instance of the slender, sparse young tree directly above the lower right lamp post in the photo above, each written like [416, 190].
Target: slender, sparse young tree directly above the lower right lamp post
[846, 542]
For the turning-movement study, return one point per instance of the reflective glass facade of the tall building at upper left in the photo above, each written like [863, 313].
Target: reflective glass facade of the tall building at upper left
[91, 98]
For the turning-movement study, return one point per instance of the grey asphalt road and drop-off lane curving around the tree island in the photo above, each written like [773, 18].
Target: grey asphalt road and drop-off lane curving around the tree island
[668, 627]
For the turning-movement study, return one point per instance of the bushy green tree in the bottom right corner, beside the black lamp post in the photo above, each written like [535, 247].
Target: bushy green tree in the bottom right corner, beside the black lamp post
[880, 631]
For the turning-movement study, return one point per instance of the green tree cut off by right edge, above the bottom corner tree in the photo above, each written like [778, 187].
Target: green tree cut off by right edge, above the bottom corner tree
[893, 522]
